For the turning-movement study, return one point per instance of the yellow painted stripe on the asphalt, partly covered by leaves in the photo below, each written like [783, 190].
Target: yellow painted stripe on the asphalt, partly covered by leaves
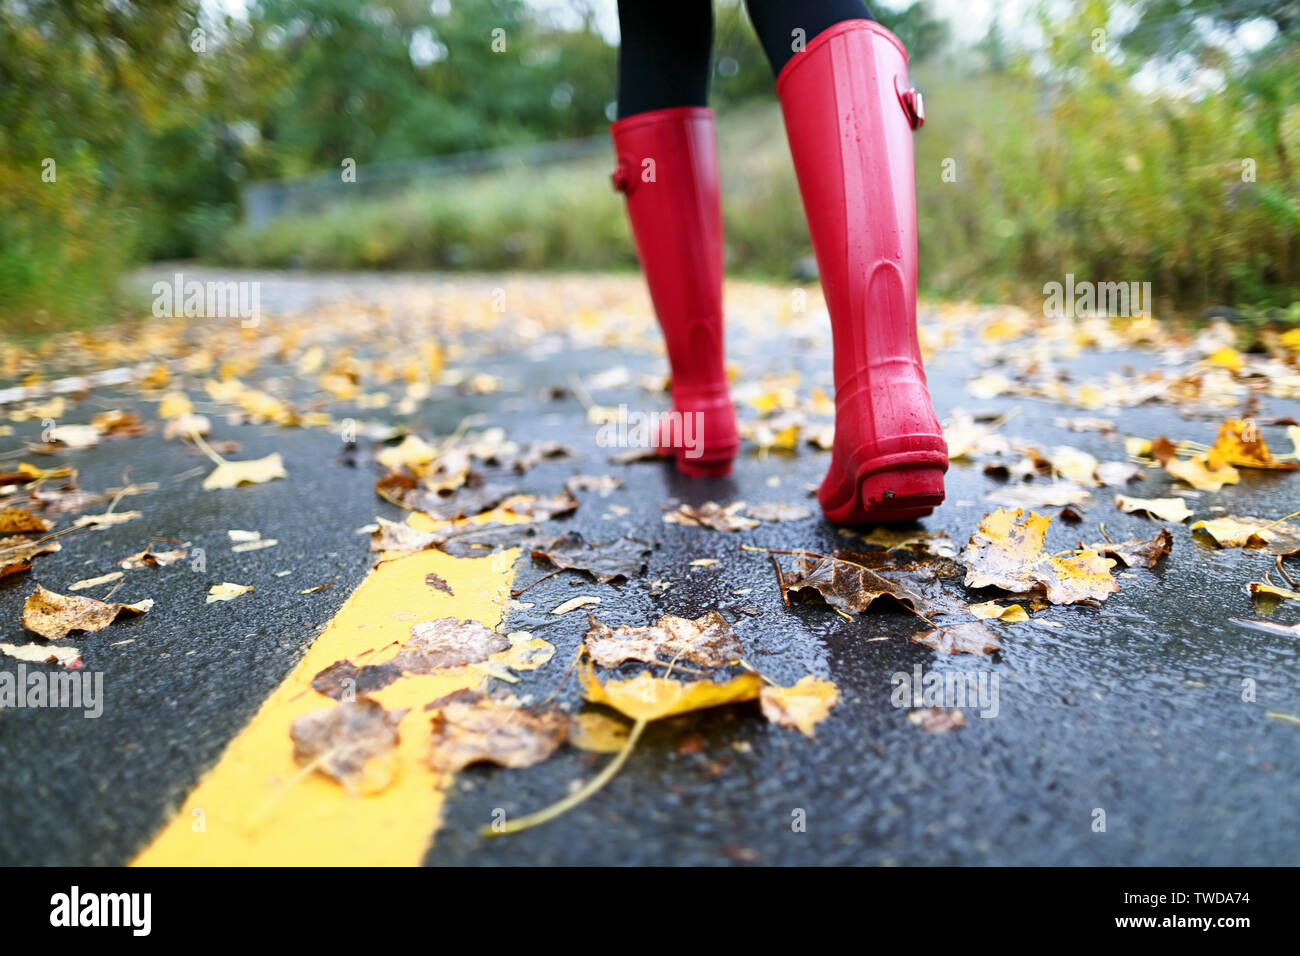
[255, 807]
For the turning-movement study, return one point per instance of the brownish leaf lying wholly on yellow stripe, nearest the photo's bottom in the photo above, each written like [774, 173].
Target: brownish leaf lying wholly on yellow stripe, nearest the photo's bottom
[353, 742]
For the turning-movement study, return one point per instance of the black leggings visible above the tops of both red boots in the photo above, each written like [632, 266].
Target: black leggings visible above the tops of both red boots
[668, 46]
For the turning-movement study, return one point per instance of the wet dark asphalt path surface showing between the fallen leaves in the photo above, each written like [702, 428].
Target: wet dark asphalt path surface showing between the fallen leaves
[1134, 708]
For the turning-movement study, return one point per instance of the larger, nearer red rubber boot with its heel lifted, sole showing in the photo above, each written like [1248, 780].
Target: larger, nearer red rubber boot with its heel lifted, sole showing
[850, 115]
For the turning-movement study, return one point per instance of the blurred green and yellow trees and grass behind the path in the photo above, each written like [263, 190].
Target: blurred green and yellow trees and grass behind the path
[1064, 161]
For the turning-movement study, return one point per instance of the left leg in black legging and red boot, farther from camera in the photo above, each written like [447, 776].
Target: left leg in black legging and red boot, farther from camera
[668, 167]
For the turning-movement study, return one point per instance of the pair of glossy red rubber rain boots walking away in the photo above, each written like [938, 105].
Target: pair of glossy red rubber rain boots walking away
[850, 115]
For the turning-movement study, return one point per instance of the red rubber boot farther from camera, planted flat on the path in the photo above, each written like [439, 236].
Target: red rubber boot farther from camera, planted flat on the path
[668, 167]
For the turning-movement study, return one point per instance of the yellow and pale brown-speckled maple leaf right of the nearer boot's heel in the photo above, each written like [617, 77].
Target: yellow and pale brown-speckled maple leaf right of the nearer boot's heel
[1007, 552]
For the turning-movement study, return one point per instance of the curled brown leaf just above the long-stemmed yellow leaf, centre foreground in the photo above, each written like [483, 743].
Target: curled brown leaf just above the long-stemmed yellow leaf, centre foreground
[708, 641]
